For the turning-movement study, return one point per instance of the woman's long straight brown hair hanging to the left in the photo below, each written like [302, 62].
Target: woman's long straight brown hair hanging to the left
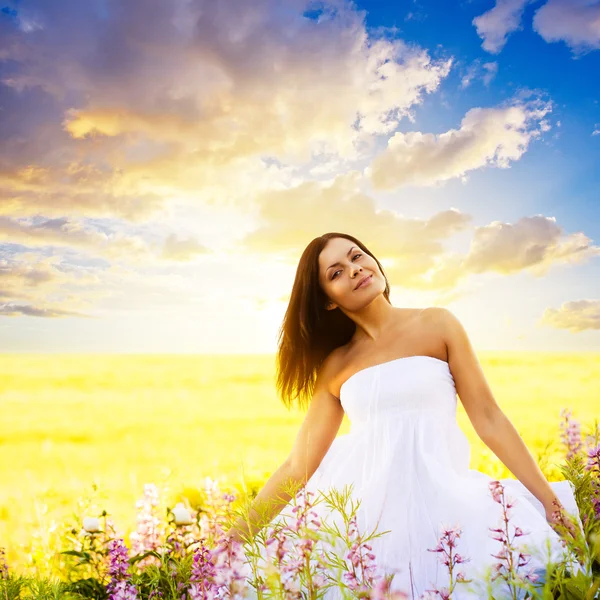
[309, 332]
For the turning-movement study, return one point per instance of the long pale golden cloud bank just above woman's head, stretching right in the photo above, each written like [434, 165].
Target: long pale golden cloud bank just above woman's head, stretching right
[415, 247]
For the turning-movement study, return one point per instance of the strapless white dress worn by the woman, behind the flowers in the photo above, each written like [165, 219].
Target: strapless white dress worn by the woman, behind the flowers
[408, 461]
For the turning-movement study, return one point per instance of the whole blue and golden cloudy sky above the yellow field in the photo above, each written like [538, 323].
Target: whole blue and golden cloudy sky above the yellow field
[164, 164]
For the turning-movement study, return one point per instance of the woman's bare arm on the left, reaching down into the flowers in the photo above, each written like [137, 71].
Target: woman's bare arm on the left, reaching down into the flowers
[316, 434]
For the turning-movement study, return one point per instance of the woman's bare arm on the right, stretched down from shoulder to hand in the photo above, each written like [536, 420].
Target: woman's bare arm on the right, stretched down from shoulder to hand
[490, 423]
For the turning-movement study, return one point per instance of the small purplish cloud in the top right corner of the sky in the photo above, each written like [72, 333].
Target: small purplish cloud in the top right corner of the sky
[575, 22]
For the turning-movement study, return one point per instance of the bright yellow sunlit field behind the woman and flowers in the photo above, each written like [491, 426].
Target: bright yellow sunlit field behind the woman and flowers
[122, 421]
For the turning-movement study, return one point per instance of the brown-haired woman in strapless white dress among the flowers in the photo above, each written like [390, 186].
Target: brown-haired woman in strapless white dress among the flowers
[396, 371]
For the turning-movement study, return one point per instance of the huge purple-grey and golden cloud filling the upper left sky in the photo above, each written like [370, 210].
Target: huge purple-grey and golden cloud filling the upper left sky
[119, 113]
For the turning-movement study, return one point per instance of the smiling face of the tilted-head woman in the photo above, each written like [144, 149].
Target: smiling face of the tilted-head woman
[342, 264]
